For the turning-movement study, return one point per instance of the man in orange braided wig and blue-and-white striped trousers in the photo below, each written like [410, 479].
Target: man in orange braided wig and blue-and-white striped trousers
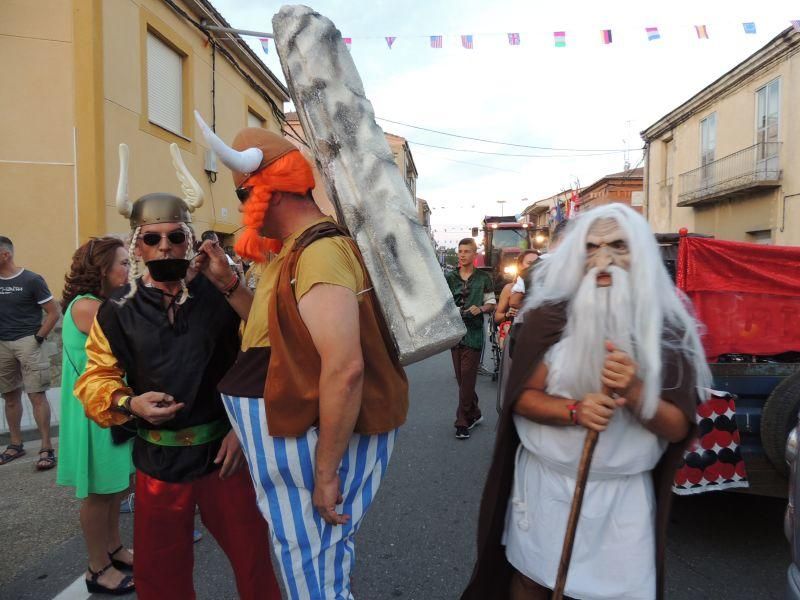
[317, 393]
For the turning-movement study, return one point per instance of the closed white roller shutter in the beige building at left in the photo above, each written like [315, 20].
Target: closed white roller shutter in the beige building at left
[164, 85]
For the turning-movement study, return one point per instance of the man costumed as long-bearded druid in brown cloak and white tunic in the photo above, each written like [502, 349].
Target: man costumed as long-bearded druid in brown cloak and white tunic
[608, 345]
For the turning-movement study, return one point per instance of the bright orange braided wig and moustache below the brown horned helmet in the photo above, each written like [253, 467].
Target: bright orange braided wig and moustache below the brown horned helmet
[290, 173]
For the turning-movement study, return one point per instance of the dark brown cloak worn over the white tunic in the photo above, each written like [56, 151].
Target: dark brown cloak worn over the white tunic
[541, 329]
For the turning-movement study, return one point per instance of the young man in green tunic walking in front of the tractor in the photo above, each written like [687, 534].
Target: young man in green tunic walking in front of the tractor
[473, 293]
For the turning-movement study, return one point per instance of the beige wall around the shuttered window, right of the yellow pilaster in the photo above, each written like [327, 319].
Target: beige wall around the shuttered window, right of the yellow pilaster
[151, 168]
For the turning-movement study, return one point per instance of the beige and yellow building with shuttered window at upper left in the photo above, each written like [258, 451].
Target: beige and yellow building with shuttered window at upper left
[87, 75]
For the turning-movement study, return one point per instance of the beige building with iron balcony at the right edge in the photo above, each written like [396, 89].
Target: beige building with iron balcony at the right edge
[725, 162]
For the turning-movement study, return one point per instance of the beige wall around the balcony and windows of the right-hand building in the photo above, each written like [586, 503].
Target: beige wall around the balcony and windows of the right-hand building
[736, 130]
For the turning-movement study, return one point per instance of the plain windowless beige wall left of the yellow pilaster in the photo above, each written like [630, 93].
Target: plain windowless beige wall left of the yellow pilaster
[36, 135]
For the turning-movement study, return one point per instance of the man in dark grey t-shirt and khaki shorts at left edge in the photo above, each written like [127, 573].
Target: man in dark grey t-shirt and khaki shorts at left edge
[23, 296]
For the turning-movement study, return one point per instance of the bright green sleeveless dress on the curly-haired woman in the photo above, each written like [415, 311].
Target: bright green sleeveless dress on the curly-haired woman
[87, 458]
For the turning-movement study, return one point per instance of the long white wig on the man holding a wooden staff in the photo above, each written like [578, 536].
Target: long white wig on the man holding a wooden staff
[659, 314]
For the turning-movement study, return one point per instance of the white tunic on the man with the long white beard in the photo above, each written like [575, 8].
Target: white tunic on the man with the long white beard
[614, 552]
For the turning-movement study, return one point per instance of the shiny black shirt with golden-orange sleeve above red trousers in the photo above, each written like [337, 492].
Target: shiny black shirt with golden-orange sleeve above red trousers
[134, 347]
